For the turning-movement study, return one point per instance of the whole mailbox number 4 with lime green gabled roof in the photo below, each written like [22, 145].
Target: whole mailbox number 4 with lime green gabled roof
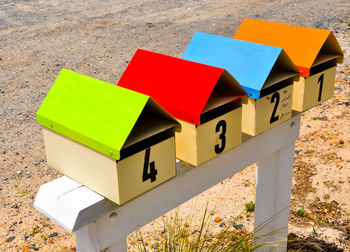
[115, 141]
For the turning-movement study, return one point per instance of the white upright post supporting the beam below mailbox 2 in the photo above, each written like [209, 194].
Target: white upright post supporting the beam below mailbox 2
[273, 188]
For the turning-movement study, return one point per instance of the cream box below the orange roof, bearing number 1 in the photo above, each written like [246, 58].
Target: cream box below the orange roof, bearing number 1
[310, 91]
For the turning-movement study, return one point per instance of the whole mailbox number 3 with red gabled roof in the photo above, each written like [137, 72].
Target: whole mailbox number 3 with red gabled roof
[205, 100]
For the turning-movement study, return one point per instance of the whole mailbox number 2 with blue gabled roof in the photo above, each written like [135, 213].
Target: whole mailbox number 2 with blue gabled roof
[266, 73]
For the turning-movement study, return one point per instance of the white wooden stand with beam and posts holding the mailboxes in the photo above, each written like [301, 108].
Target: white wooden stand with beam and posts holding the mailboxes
[101, 225]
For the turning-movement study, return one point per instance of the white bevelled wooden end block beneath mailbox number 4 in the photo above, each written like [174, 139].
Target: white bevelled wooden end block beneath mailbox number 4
[70, 204]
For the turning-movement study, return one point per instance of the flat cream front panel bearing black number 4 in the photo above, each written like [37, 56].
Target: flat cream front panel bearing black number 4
[146, 169]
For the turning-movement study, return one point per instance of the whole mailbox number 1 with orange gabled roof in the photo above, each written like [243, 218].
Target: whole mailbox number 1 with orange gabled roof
[315, 52]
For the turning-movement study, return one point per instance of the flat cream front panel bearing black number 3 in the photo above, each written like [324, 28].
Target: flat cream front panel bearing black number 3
[219, 135]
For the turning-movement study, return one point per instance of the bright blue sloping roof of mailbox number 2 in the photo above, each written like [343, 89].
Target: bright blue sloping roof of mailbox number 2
[249, 63]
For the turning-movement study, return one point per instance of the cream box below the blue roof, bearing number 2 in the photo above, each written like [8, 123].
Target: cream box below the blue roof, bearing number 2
[267, 112]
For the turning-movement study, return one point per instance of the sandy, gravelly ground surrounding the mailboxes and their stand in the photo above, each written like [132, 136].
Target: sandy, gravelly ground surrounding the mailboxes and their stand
[98, 38]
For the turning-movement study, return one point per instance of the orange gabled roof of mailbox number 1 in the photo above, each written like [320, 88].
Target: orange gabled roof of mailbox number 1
[302, 44]
